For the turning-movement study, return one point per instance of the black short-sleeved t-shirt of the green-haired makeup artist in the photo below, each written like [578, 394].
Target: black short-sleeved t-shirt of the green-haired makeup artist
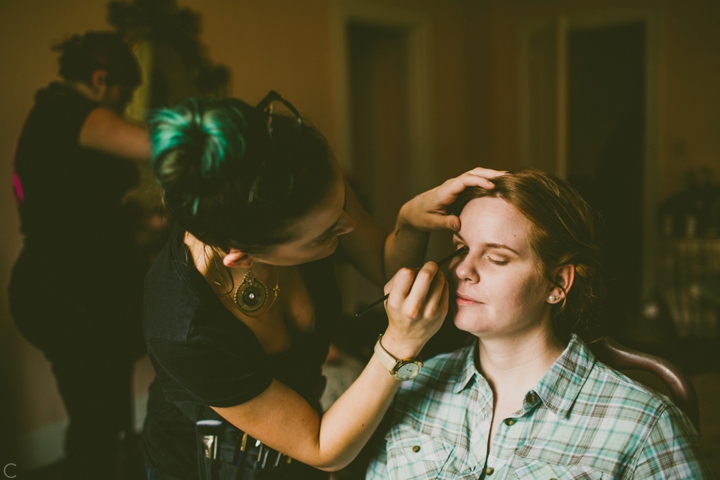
[204, 356]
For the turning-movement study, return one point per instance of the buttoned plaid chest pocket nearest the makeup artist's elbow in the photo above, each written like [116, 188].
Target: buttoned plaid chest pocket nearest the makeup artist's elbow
[412, 454]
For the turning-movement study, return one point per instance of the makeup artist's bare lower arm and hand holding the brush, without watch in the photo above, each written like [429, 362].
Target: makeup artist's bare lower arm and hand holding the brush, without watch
[283, 420]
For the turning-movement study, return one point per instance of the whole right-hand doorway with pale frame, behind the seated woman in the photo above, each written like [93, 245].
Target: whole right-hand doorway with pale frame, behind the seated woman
[589, 114]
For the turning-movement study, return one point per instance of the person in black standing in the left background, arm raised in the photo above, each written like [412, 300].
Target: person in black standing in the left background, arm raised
[76, 287]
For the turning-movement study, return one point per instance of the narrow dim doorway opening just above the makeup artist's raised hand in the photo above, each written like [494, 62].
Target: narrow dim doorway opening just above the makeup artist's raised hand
[378, 112]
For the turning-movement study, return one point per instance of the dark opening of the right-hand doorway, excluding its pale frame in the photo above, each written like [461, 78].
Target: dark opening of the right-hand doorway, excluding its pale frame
[605, 151]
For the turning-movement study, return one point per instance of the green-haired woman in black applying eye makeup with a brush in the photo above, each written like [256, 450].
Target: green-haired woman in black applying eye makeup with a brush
[240, 303]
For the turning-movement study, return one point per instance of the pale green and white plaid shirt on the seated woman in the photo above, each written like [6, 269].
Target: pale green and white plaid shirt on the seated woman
[583, 420]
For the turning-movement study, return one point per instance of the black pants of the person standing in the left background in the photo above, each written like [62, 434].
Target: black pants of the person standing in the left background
[92, 341]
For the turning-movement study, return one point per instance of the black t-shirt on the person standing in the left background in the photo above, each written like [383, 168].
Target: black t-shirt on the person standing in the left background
[71, 195]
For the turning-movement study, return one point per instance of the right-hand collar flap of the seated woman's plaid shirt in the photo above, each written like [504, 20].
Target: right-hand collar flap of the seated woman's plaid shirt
[560, 386]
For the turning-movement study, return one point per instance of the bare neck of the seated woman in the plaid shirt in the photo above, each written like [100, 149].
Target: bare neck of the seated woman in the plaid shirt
[519, 361]
